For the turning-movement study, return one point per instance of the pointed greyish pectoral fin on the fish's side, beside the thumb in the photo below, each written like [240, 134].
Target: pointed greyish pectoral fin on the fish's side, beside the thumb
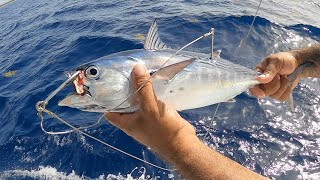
[168, 72]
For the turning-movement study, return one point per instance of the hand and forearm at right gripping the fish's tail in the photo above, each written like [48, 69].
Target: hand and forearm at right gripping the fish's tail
[276, 68]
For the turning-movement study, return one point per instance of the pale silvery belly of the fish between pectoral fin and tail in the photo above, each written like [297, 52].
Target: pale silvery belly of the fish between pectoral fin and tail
[203, 84]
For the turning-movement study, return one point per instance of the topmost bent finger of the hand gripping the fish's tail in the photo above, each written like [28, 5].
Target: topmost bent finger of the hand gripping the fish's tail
[270, 67]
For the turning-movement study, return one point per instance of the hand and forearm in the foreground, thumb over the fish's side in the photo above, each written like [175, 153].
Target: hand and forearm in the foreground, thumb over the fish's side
[161, 128]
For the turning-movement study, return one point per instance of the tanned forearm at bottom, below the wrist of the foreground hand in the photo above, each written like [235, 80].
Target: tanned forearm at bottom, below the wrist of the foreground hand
[195, 160]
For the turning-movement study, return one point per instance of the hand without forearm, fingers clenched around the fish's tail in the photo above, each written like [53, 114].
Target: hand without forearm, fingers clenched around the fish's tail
[274, 80]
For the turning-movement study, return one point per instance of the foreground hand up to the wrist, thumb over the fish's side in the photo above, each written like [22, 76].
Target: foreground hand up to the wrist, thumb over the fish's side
[156, 124]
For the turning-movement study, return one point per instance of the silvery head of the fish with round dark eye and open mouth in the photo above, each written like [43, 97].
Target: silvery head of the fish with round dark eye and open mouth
[99, 87]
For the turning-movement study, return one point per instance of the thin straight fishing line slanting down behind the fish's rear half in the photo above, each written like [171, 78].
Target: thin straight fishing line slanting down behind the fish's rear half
[237, 57]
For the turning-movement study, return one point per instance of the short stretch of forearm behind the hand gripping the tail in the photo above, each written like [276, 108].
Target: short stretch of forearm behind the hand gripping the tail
[309, 54]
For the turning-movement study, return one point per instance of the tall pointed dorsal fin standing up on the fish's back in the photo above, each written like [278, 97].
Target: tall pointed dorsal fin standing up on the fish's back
[153, 41]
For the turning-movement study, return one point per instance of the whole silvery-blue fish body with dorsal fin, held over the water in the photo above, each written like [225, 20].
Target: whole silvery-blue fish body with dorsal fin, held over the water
[188, 80]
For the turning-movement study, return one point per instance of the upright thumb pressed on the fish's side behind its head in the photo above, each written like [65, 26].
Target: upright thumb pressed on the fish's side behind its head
[146, 97]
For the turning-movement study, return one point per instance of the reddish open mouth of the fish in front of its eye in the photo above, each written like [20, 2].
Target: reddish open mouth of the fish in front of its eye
[78, 84]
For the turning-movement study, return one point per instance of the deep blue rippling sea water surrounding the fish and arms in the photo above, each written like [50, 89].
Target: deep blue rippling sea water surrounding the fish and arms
[41, 39]
